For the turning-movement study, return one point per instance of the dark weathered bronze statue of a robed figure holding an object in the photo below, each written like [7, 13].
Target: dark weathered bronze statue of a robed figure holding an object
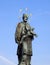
[24, 35]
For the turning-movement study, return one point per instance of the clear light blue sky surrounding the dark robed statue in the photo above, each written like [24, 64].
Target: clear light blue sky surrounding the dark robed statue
[40, 20]
